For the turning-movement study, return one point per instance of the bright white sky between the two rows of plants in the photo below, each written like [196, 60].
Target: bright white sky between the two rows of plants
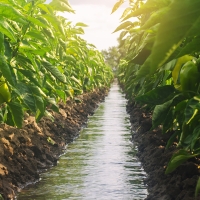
[97, 15]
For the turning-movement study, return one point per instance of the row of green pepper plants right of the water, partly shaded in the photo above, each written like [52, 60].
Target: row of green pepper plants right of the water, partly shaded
[162, 70]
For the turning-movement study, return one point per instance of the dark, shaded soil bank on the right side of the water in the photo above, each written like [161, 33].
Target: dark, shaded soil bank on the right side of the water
[179, 185]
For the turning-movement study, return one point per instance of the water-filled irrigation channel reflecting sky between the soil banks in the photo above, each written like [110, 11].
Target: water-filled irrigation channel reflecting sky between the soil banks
[101, 164]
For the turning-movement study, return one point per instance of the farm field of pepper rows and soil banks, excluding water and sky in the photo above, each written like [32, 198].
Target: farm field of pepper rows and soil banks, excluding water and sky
[51, 80]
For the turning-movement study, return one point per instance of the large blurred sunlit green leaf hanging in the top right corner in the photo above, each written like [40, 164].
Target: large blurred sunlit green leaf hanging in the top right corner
[170, 35]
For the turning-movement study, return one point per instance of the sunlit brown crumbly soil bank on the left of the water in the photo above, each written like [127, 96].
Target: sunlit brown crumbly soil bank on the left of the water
[25, 152]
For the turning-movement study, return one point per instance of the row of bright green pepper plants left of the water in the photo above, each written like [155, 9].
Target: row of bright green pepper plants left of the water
[43, 59]
